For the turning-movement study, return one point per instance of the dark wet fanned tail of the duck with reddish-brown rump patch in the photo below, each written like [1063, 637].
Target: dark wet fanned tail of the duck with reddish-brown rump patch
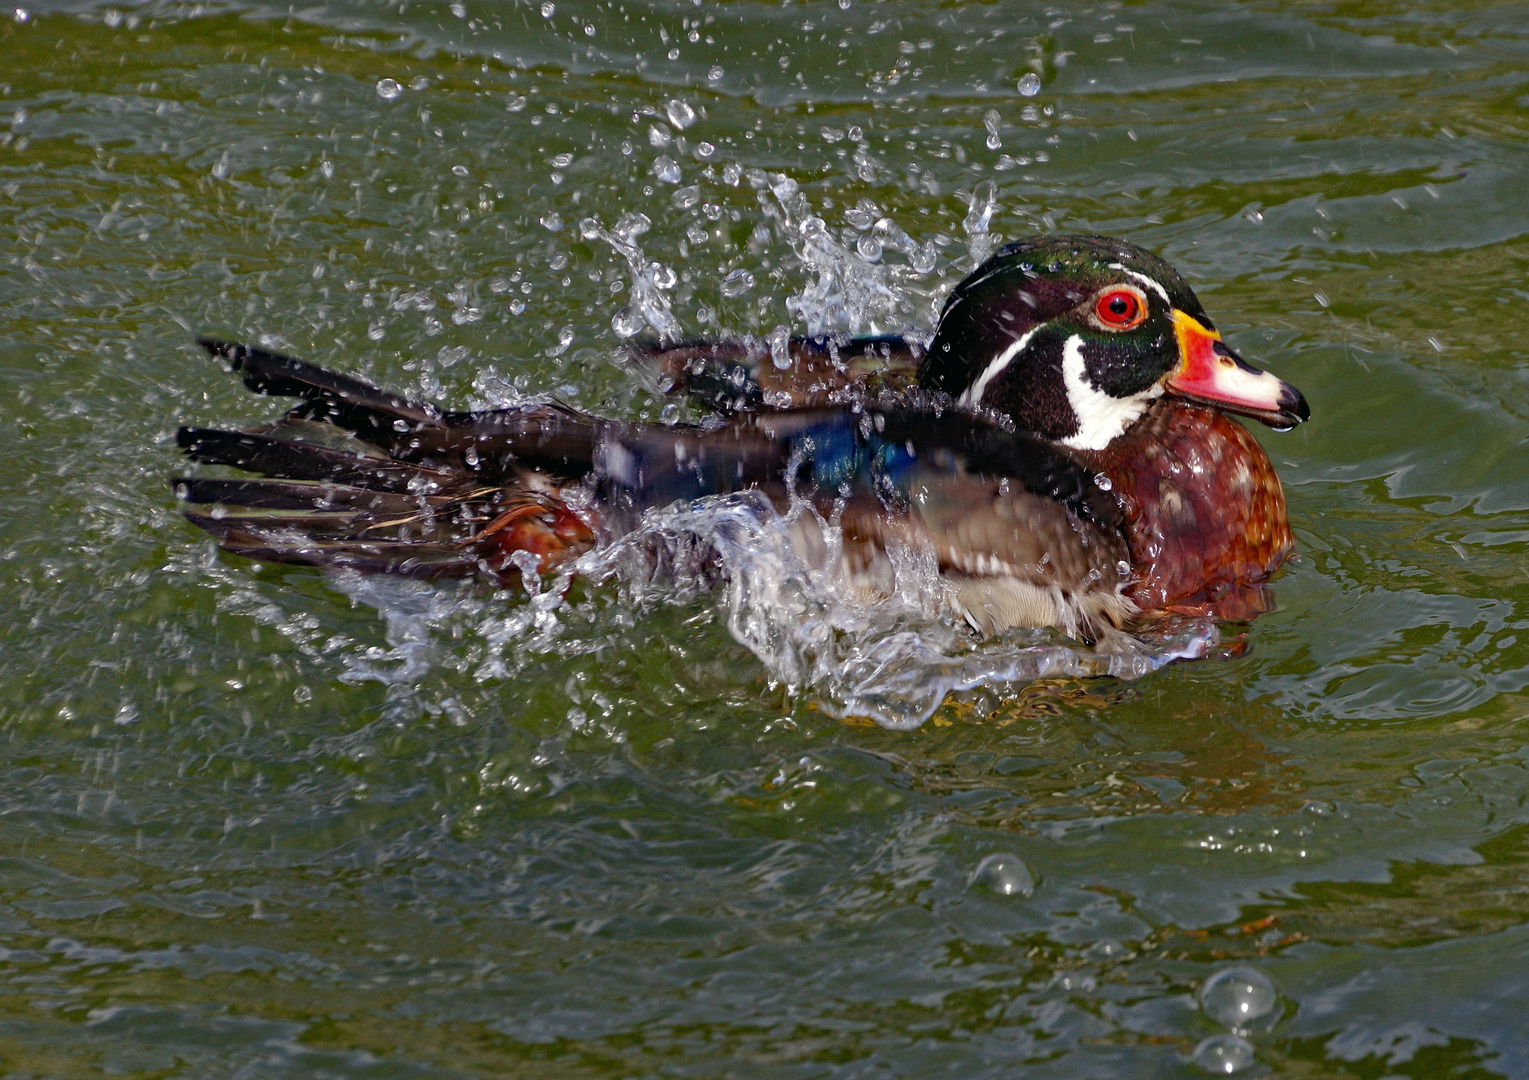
[362, 478]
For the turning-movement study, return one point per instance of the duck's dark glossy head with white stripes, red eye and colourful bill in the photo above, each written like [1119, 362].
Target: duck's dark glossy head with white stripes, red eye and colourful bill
[1076, 336]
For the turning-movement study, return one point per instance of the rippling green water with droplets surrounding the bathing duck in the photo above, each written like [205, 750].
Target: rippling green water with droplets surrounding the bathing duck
[259, 822]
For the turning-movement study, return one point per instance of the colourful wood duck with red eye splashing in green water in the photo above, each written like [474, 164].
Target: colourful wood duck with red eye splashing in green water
[1062, 447]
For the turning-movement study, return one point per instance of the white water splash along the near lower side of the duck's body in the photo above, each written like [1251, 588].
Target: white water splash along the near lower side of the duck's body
[889, 649]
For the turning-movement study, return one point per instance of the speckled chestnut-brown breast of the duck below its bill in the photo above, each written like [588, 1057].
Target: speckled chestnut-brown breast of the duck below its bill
[1206, 510]
